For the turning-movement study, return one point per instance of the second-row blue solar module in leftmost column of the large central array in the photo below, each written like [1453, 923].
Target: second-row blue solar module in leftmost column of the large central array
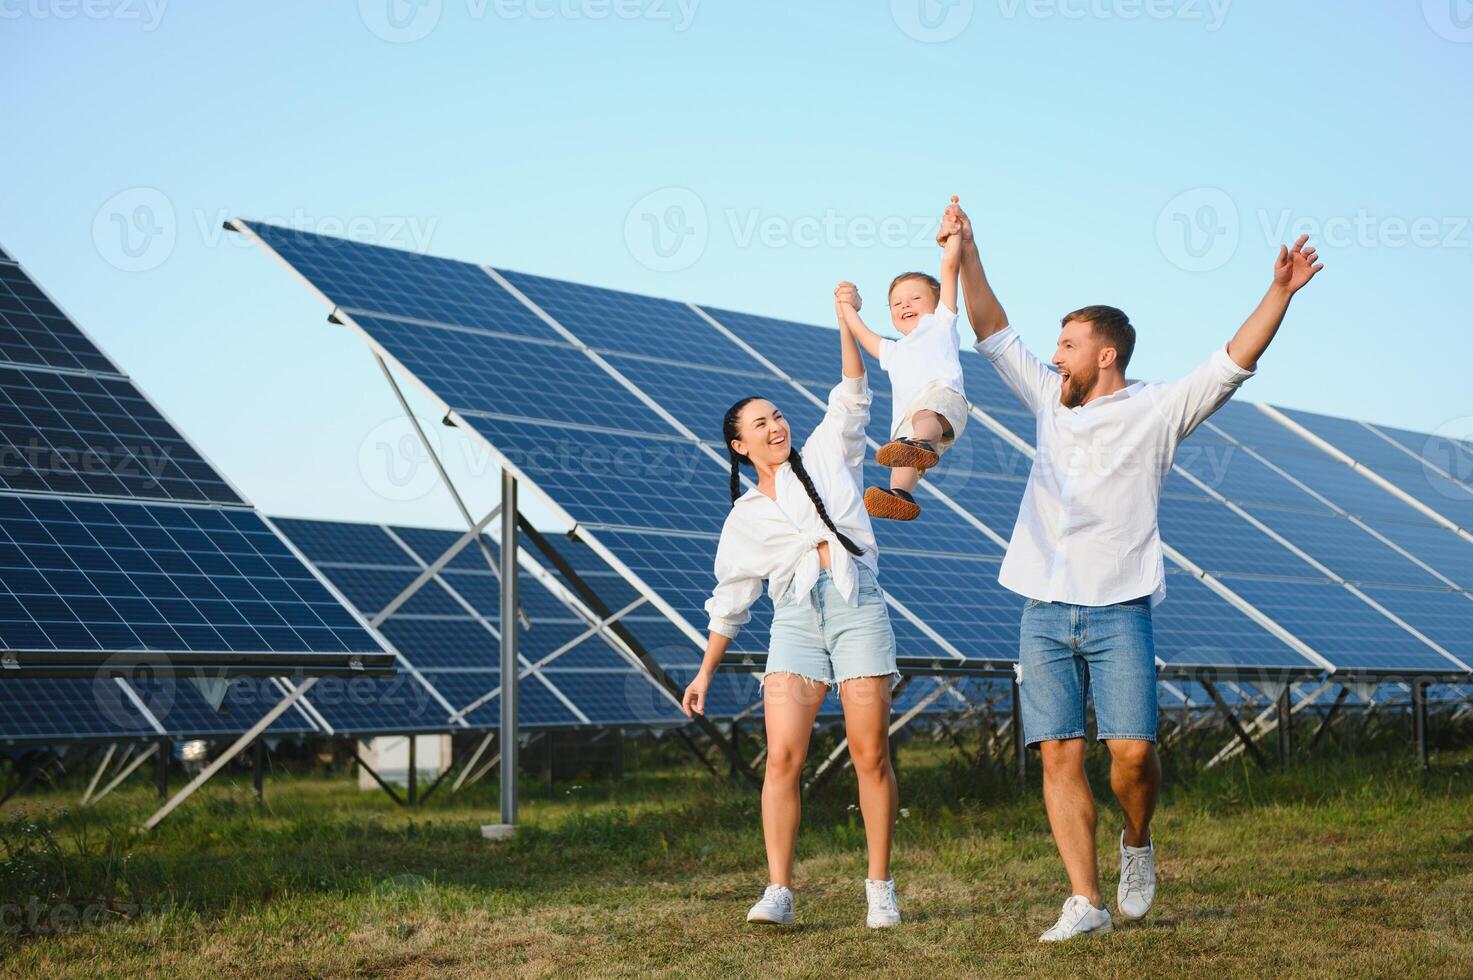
[475, 371]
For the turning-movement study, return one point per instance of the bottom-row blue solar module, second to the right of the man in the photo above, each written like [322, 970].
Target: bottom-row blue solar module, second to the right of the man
[1338, 626]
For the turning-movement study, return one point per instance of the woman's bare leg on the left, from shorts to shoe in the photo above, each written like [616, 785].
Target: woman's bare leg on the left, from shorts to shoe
[790, 704]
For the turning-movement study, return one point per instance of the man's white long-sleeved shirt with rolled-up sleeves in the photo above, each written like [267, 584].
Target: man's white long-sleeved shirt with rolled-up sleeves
[1086, 533]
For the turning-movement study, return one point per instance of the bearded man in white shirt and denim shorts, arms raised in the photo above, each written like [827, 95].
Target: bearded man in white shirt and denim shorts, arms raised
[1086, 555]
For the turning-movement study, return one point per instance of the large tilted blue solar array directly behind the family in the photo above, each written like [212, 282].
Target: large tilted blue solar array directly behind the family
[615, 412]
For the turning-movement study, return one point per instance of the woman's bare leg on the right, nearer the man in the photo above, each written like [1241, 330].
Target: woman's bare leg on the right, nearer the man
[867, 724]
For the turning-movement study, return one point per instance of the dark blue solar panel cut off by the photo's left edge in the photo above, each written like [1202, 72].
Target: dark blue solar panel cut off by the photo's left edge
[120, 545]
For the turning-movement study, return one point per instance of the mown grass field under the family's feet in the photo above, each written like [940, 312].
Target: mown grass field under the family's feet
[1334, 867]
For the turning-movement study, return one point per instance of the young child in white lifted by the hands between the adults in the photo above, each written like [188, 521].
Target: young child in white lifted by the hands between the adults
[926, 374]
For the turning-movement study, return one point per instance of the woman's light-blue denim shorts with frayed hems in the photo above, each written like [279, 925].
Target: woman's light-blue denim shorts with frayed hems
[832, 642]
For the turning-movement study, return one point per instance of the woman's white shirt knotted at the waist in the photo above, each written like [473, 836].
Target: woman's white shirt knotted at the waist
[777, 540]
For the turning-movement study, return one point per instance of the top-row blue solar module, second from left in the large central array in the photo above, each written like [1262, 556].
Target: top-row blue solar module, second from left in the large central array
[628, 323]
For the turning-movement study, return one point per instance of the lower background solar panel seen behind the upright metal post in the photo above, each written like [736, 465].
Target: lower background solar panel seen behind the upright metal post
[451, 637]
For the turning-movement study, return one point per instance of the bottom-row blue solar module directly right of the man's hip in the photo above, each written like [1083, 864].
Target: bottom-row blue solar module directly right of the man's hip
[1197, 629]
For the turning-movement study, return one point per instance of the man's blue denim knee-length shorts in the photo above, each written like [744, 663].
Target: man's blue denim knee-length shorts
[1069, 654]
